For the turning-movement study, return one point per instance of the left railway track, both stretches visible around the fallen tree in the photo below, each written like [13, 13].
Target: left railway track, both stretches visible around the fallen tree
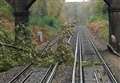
[27, 75]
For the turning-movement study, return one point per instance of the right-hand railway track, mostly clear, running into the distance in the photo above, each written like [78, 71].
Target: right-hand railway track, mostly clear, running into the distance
[100, 73]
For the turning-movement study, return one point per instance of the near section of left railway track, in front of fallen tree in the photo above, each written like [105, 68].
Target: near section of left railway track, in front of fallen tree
[25, 76]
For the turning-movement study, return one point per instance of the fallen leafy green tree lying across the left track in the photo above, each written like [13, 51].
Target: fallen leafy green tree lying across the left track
[13, 55]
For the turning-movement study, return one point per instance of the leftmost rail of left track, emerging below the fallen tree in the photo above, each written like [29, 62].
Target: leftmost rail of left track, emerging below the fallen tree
[19, 74]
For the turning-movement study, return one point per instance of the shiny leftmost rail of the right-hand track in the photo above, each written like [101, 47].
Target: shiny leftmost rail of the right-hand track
[75, 60]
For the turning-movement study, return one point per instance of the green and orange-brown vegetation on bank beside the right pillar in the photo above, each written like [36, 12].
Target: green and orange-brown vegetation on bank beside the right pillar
[98, 21]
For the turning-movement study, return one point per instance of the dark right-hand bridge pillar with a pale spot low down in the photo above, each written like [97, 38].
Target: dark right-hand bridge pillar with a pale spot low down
[114, 22]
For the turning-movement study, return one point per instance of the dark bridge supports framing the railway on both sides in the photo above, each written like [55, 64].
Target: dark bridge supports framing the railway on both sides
[21, 14]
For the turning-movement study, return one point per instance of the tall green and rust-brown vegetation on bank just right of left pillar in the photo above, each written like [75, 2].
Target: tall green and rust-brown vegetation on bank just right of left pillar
[46, 17]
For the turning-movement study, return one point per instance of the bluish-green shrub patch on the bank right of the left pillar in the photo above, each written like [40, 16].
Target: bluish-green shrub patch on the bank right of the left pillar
[45, 21]
